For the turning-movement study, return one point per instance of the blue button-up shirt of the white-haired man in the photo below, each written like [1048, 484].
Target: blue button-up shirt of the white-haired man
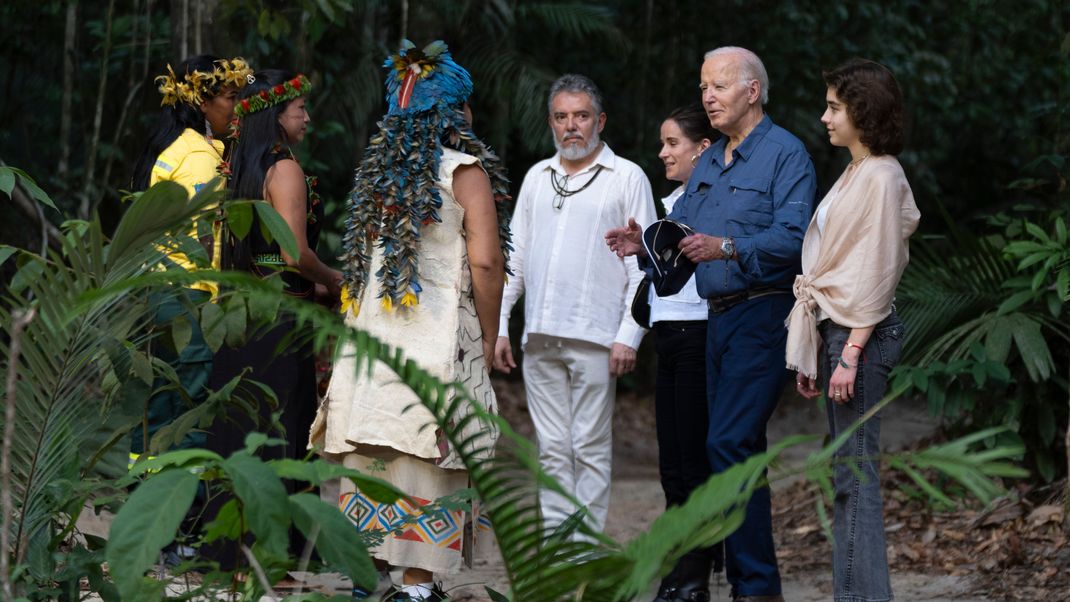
[762, 200]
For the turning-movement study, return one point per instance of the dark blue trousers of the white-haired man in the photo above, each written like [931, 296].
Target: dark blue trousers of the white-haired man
[745, 348]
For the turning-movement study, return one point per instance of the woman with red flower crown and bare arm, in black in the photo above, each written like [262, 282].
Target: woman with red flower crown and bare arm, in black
[273, 118]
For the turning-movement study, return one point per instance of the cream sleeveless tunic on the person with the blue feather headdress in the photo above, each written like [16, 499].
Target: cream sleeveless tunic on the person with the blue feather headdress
[441, 335]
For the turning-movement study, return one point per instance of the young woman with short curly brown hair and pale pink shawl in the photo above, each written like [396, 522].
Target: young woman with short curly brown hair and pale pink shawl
[854, 254]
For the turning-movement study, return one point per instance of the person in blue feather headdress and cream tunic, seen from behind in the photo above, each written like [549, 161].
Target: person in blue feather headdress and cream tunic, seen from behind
[425, 255]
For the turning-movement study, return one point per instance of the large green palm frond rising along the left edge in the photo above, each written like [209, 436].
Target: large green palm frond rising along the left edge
[74, 356]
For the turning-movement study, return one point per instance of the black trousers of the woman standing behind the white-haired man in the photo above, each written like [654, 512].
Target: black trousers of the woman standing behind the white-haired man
[682, 413]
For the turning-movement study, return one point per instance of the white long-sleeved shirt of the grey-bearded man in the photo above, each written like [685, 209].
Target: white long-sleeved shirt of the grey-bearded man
[574, 286]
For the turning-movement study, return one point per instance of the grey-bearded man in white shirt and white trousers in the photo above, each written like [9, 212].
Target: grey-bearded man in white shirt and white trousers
[579, 335]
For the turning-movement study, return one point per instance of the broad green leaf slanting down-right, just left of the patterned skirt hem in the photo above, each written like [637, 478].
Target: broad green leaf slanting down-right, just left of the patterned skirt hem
[335, 538]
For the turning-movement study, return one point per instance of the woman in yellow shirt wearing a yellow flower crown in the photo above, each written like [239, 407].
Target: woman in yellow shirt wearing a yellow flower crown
[198, 104]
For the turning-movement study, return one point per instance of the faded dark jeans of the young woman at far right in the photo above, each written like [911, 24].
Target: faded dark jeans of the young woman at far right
[860, 561]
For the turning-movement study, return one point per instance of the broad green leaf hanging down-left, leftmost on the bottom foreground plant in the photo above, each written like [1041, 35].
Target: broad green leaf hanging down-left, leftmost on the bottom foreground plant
[147, 523]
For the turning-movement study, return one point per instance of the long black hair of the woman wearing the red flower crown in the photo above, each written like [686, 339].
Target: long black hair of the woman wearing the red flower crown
[261, 145]
